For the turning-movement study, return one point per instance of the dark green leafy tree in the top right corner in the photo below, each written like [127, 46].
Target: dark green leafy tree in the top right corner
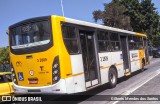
[144, 17]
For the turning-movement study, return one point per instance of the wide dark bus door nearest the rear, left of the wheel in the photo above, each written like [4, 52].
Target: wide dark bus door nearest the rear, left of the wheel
[89, 57]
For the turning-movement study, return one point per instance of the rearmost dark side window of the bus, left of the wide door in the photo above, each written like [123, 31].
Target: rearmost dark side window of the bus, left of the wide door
[70, 39]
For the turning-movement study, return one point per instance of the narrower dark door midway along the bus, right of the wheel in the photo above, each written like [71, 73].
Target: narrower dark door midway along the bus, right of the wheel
[125, 54]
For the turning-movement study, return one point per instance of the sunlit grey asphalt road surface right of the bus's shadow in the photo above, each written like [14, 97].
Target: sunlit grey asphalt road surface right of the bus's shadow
[140, 83]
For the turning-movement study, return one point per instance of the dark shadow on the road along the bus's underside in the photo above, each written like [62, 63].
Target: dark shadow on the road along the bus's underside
[72, 98]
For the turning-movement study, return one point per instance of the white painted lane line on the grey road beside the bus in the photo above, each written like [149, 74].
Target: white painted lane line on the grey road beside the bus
[128, 92]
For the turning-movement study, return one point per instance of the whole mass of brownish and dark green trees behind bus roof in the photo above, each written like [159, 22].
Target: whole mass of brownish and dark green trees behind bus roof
[137, 15]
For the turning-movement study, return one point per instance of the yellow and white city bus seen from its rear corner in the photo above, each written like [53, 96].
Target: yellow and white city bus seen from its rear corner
[59, 55]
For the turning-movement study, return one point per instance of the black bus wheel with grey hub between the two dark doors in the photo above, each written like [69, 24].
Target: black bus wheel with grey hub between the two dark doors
[112, 77]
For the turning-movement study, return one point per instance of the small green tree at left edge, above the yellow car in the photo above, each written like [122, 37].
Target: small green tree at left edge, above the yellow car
[4, 57]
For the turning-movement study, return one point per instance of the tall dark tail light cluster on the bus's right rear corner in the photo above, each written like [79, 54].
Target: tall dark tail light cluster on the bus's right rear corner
[55, 70]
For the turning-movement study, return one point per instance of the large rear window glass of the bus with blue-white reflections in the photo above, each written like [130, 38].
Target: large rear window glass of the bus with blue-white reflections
[30, 35]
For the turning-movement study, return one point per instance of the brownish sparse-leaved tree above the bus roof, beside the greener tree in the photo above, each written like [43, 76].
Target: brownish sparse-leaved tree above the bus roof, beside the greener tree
[113, 15]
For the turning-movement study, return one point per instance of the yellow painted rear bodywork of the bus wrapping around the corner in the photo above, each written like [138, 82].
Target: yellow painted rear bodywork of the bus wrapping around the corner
[44, 76]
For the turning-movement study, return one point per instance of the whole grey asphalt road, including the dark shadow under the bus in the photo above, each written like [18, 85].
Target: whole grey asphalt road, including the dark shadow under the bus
[140, 83]
